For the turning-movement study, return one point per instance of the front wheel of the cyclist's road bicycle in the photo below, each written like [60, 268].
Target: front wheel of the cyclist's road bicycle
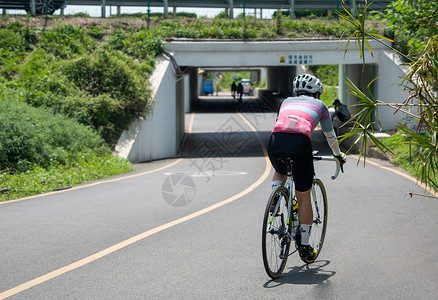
[319, 207]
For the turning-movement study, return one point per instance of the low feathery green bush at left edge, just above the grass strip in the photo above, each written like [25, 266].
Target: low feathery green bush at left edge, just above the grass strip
[32, 137]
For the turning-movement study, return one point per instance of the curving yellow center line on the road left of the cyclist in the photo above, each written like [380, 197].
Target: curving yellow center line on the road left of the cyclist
[116, 247]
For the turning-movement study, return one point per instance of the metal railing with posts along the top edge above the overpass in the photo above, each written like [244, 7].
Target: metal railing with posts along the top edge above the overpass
[171, 8]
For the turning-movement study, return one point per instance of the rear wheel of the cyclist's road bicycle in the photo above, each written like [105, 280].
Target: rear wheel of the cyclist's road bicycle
[276, 235]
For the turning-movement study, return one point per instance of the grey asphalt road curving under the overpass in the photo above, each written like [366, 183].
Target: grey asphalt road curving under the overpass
[190, 227]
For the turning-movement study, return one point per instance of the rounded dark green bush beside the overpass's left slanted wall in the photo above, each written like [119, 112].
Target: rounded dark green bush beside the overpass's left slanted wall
[113, 92]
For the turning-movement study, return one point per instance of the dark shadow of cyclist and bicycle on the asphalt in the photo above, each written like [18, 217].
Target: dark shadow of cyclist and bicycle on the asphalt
[303, 275]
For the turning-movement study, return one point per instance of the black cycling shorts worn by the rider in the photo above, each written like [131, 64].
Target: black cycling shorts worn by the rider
[298, 147]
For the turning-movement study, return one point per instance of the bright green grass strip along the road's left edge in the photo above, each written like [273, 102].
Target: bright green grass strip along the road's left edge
[40, 180]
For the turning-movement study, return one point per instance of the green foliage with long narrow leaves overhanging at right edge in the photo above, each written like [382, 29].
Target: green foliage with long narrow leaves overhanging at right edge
[413, 24]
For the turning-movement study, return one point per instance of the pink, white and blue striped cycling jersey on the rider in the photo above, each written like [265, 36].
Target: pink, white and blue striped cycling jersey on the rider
[301, 115]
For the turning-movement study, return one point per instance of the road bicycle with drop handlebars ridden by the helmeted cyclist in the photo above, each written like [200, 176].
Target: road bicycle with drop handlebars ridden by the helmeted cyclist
[281, 224]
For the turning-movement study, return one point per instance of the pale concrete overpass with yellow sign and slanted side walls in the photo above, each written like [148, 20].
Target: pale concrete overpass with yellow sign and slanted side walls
[175, 82]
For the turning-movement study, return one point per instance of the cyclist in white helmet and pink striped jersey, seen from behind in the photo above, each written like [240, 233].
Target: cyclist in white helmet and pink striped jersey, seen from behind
[297, 118]
